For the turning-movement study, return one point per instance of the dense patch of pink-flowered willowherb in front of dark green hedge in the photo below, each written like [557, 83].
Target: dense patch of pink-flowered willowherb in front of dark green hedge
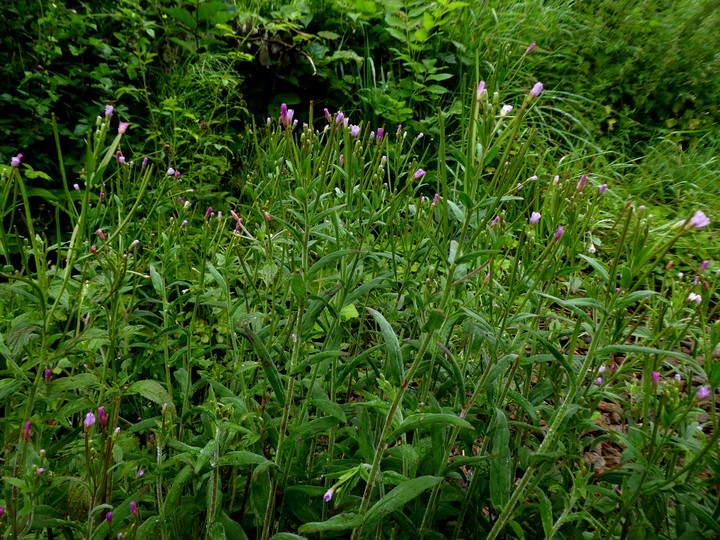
[381, 335]
